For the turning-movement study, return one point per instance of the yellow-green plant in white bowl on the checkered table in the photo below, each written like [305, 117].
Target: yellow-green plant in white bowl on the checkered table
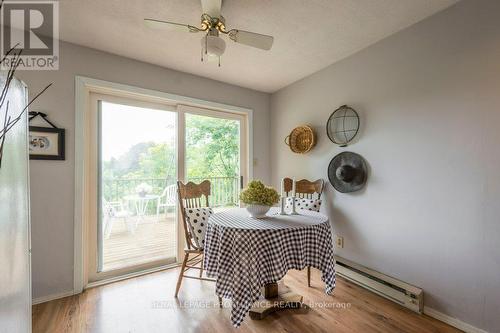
[258, 198]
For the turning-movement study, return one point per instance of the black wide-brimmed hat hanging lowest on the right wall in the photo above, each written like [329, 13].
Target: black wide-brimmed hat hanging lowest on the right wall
[347, 172]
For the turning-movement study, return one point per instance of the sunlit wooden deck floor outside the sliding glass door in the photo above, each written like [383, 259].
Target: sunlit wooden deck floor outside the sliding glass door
[154, 238]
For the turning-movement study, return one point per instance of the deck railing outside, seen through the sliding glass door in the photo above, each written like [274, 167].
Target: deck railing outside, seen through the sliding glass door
[225, 190]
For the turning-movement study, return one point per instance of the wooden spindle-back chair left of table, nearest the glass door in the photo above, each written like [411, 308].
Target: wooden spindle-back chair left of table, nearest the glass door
[192, 196]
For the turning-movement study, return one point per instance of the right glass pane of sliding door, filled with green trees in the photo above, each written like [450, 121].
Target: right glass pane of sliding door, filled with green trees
[213, 152]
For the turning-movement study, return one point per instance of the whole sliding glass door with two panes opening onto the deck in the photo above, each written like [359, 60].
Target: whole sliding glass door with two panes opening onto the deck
[141, 149]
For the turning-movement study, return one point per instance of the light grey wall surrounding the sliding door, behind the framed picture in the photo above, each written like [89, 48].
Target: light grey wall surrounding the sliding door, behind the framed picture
[52, 182]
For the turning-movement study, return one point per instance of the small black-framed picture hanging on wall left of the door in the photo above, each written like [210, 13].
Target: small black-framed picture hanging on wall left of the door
[46, 143]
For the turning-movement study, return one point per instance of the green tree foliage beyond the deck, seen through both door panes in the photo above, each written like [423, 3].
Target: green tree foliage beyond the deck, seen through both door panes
[212, 150]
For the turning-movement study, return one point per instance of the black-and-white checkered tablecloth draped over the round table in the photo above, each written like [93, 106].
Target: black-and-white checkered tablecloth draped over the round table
[244, 254]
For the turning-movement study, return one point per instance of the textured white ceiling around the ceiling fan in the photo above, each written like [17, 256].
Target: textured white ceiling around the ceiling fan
[308, 34]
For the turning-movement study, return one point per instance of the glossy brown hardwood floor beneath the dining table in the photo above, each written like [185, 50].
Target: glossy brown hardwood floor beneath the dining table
[146, 304]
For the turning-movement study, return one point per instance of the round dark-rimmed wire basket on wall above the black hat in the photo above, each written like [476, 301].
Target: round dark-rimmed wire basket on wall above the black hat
[343, 125]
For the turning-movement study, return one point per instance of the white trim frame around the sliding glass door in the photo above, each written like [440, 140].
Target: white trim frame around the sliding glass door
[84, 86]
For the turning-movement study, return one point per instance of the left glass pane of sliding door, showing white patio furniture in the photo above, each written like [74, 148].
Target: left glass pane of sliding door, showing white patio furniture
[137, 169]
